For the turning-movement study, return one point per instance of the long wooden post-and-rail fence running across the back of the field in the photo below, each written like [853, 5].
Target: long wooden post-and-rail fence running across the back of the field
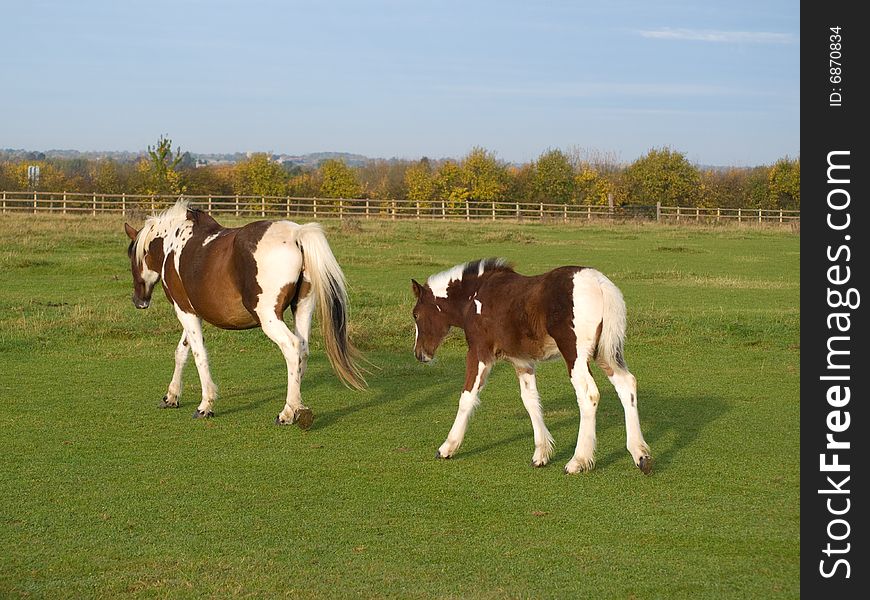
[353, 208]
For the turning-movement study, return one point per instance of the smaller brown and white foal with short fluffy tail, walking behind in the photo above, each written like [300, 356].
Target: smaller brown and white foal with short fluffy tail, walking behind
[573, 311]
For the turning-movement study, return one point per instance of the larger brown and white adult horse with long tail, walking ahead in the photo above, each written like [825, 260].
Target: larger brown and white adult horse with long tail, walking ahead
[240, 278]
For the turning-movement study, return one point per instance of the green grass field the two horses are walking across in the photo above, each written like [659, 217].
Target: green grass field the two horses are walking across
[102, 494]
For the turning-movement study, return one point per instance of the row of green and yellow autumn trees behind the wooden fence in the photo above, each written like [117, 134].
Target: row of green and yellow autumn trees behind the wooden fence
[577, 177]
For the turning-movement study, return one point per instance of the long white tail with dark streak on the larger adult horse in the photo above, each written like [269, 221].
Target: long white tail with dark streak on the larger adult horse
[329, 287]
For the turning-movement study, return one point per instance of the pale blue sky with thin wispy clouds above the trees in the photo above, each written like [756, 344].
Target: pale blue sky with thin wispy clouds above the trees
[718, 81]
